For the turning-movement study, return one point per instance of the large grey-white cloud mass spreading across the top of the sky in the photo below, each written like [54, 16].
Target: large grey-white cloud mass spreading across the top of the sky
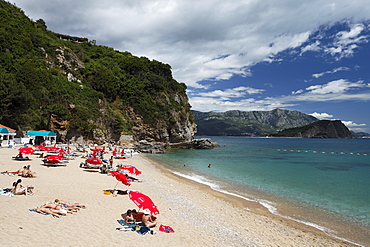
[192, 36]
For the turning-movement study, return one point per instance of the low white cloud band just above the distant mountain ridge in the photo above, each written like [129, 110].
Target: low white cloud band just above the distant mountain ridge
[222, 100]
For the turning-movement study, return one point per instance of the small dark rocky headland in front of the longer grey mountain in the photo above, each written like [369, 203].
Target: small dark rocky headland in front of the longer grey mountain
[319, 129]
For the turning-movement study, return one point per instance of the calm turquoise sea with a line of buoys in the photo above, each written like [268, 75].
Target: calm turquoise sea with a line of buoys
[322, 183]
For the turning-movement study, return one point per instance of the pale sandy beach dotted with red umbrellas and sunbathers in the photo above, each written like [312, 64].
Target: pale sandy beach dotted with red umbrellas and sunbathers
[198, 216]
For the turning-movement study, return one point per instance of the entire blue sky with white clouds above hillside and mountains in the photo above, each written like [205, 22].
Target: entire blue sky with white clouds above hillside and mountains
[310, 56]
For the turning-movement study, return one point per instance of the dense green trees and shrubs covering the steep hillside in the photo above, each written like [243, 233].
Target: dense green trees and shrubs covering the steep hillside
[75, 84]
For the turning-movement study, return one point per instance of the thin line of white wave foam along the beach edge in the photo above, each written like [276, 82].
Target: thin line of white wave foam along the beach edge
[267, 204]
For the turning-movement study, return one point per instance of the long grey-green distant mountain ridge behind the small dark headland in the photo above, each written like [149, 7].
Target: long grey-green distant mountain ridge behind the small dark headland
[252, 123]
